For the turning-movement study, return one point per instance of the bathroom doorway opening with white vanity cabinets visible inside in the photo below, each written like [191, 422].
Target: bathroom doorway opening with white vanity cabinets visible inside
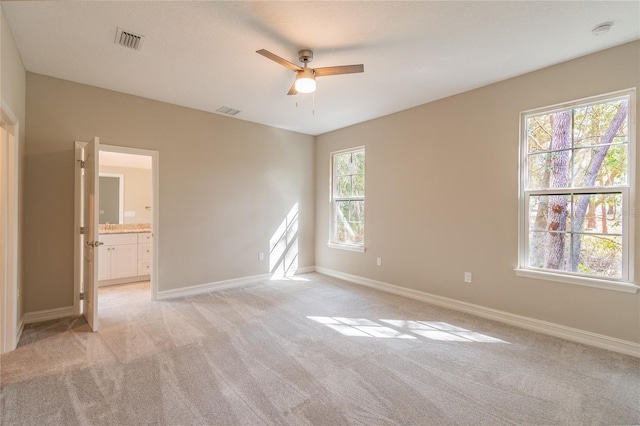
[128, 204]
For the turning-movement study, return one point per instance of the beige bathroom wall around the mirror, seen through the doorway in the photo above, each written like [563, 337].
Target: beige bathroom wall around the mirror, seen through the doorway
[137, 192]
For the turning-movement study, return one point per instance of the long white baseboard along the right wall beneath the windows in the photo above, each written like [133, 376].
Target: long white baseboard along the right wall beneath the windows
[557, 330]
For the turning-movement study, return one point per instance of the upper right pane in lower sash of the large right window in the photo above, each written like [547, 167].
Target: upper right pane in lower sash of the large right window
[598, 213]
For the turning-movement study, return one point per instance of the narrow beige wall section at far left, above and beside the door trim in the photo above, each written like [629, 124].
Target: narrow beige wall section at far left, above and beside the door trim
[12, 93]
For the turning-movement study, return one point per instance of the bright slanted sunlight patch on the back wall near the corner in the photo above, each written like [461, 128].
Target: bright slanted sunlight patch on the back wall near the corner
[283, 247]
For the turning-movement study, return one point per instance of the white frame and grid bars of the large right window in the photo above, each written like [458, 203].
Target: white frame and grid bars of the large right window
[531, 191]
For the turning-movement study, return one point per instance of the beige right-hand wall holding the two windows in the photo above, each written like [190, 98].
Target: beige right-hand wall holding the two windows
[442, 197]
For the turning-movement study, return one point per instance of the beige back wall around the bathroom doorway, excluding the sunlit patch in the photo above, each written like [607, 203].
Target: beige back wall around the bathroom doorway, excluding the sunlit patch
[225, 186]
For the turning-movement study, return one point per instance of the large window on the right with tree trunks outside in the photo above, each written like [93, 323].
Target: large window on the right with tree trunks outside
[576, 189]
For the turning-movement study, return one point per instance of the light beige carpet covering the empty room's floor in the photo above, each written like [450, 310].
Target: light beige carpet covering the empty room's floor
[310, 351]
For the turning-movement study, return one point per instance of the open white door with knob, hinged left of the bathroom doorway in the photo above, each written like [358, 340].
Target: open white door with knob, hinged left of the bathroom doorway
[88, 238]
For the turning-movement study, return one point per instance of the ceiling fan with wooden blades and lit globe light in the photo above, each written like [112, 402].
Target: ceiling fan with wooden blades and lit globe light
[306, 77]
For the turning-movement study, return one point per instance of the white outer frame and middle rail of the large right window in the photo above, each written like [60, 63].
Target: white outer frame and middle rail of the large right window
[626, 282]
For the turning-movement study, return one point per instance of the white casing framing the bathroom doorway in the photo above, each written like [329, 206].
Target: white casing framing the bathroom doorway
[155, 203]
